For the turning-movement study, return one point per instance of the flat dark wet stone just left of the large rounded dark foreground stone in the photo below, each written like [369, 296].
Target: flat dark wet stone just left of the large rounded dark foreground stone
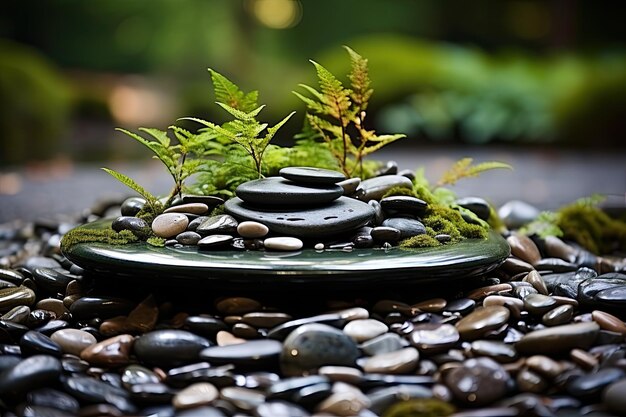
[255, 353]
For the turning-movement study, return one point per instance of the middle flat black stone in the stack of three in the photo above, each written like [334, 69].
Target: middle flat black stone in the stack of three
[276, 191]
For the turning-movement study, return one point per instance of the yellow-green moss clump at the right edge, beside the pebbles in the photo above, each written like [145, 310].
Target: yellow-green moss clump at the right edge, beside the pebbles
[592, 228]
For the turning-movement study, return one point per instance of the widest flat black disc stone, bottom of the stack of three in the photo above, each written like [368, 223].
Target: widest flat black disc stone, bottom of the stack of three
[342, 215]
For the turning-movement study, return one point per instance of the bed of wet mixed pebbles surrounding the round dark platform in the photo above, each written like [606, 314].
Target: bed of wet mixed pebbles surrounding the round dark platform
[542, 335]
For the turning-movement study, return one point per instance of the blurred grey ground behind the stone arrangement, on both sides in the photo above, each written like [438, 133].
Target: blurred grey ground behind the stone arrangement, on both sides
[544, 178]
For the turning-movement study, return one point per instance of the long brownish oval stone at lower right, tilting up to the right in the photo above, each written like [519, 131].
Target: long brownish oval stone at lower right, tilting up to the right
[558, 339]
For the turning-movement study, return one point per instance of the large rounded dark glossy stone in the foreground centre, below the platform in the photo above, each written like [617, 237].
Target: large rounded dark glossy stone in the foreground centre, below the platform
[313, 345]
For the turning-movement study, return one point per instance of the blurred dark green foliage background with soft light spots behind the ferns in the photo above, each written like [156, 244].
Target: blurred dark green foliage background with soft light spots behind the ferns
[515, 71]
